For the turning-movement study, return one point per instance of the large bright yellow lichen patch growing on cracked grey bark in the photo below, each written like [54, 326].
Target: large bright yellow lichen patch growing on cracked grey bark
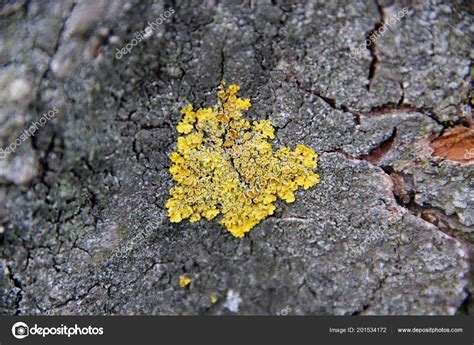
[224, 164]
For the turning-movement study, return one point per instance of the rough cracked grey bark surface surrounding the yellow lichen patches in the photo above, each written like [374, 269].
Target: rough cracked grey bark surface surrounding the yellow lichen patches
[82, 218]
